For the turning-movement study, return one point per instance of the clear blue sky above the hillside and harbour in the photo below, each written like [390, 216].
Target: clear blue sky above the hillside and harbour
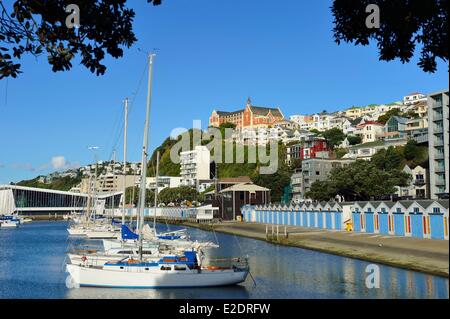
[212, 55]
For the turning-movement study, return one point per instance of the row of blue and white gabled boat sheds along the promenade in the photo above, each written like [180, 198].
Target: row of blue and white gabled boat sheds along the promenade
[415, 218]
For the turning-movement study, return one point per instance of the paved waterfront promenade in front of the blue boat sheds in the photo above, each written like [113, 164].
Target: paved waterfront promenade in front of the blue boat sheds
[424, 255]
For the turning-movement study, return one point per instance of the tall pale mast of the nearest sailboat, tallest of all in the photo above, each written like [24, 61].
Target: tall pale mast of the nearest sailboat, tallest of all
[145, 154]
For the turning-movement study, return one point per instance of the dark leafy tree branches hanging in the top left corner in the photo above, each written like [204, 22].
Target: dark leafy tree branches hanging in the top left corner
[32, 27]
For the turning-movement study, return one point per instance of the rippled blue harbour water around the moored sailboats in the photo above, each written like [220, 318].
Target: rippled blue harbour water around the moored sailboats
[32, 260]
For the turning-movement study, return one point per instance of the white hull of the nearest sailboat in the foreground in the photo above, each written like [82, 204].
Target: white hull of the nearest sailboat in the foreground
[98, 277]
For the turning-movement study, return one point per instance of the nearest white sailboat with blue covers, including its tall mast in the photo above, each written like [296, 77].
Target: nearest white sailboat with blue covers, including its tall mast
[169, 271]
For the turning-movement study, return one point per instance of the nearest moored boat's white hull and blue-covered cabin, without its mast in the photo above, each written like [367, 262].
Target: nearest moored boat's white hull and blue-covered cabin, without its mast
[168, 272]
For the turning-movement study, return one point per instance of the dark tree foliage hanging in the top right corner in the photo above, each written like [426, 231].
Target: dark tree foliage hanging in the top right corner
[404, 24]
